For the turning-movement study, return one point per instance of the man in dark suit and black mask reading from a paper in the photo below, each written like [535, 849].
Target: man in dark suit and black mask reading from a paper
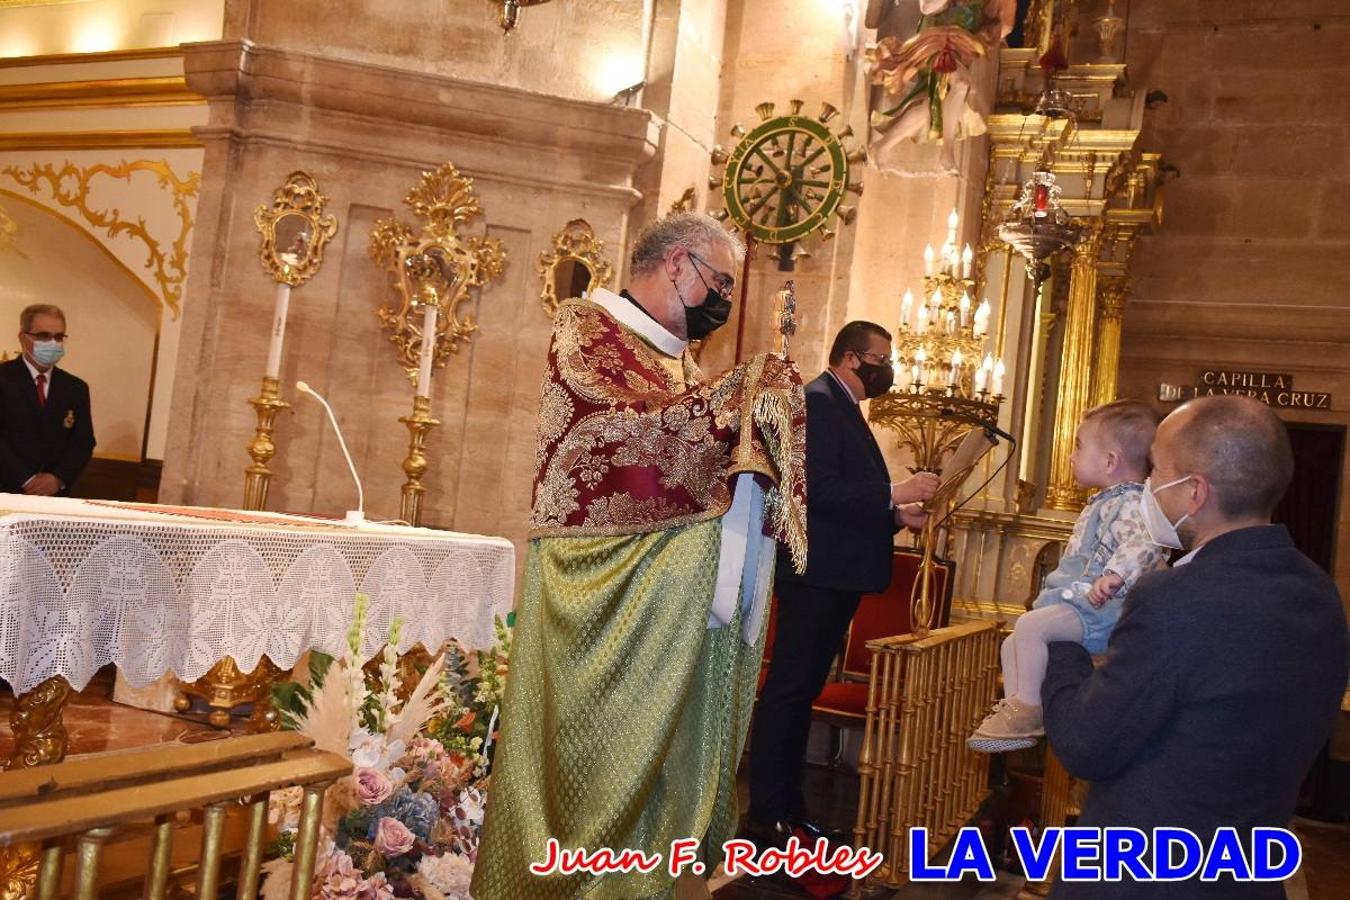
[853, 513]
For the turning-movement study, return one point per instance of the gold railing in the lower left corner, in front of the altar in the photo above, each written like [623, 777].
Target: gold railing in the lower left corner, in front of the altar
[78, 808]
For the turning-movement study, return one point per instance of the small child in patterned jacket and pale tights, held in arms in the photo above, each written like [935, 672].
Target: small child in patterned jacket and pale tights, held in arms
[1082, 598]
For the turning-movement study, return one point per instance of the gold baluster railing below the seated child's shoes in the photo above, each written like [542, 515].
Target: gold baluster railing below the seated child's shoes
[925, 697]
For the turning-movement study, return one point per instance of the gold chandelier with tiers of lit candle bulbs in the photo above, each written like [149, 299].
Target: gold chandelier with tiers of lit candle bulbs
[947, 378]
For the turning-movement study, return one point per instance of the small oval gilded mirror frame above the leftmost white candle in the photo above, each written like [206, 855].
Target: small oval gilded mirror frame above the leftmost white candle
[295, 230]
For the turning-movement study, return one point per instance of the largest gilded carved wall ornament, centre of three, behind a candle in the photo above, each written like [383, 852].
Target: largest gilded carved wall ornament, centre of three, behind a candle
[439, 266]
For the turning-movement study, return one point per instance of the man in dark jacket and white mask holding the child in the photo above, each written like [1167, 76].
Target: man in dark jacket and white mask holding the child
[1225, 674]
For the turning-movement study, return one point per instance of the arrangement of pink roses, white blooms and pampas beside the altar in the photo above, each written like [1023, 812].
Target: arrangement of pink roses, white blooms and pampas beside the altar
[407, 822]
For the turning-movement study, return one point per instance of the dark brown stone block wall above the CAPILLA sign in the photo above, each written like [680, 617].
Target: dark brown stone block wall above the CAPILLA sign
[1249, 268]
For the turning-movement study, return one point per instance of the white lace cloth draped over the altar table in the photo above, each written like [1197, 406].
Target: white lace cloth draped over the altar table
[88, 584]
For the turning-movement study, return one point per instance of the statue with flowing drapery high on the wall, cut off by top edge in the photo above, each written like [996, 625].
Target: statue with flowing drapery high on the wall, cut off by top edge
[925, 83]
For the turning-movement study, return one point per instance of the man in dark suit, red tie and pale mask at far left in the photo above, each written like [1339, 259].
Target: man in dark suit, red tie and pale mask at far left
[47, 434]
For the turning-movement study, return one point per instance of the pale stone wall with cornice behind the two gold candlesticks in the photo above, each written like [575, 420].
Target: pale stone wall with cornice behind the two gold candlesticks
[367, 133]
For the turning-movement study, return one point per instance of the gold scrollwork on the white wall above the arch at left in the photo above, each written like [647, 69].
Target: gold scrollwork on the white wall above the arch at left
[70, 187]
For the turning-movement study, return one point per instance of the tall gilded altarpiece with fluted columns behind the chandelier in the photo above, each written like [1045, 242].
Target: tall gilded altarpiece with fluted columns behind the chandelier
[1062, 339]
